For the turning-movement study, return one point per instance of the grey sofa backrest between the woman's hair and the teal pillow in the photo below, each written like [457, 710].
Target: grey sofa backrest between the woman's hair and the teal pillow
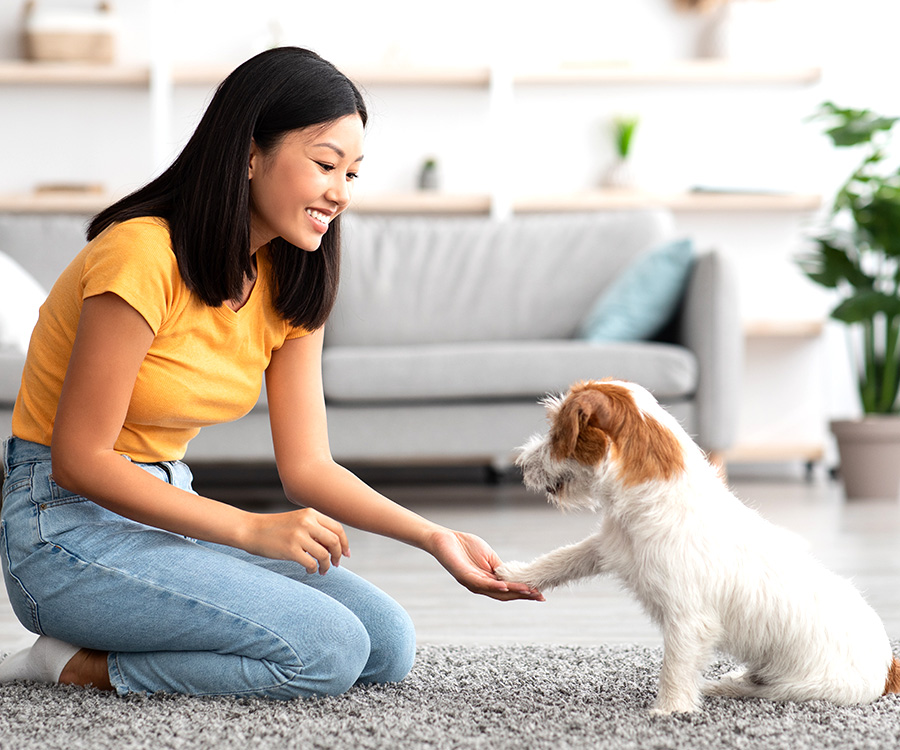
[415, 280]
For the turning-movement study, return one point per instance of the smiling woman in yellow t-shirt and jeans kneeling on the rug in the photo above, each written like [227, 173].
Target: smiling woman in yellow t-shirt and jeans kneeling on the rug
[220, 271]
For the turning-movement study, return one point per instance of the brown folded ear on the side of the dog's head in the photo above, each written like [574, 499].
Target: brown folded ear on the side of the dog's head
[579, 429]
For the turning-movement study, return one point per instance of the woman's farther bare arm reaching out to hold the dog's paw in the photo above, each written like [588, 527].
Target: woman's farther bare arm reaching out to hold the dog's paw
[311, 477]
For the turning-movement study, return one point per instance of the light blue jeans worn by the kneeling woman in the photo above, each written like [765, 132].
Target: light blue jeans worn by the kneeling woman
[181, 616]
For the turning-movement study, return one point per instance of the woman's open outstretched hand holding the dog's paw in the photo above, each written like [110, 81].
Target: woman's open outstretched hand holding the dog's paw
[472, 562]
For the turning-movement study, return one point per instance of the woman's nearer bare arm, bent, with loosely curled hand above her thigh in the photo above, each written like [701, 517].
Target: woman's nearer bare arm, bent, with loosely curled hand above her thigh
[110, 345]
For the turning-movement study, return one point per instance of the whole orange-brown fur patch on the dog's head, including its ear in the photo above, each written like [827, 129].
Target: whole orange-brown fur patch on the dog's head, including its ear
[599, 416]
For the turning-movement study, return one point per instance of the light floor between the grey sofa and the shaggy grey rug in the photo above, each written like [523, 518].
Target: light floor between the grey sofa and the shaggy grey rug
[859, 540]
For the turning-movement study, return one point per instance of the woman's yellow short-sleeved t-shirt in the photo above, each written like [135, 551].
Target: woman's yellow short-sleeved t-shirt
[205, 365]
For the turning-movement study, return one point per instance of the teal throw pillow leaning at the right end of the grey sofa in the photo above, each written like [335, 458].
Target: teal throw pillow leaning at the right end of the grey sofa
[637, 304]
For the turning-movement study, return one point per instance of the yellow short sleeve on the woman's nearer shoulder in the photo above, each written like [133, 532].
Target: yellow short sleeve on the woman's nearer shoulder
[135, 261]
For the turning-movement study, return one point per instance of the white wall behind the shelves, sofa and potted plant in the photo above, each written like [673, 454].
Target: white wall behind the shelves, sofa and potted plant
[729, 136]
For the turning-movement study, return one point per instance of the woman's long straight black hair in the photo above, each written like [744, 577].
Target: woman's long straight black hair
[205, 194]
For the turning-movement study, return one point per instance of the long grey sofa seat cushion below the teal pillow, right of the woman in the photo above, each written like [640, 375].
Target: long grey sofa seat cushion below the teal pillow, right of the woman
[500, 370]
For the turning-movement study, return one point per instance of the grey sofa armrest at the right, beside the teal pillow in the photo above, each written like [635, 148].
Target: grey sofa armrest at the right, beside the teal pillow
[711, 327]
